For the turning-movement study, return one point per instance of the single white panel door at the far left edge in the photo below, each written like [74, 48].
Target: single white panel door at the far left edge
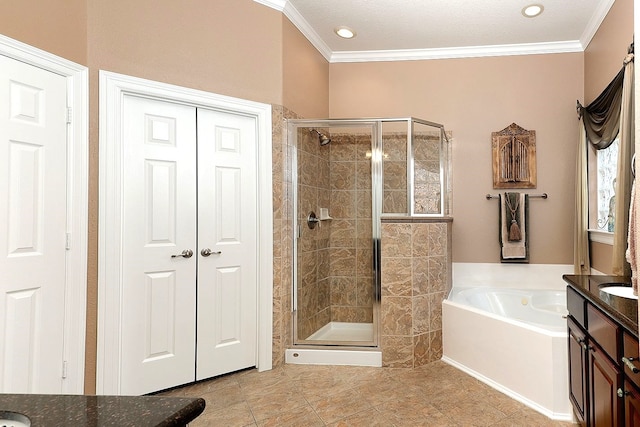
[33, 169]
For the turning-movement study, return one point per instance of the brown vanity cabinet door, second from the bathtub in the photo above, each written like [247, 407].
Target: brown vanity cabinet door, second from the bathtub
[605, 407]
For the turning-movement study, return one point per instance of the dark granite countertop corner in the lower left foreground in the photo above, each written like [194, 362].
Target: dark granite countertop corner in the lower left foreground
[49, 410]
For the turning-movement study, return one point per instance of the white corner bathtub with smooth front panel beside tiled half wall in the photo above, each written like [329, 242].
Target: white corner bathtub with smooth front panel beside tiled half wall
[513, 339]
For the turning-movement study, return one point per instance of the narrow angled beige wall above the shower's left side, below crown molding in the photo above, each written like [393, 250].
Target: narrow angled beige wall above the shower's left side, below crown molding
[305, 75]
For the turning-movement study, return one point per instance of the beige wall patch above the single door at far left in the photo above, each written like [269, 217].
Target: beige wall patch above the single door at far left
[57, 26]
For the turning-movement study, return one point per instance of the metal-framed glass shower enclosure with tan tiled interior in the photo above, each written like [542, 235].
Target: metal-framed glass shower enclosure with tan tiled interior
[347, 176]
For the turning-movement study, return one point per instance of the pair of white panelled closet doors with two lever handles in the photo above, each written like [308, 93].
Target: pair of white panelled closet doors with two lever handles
[189, 257]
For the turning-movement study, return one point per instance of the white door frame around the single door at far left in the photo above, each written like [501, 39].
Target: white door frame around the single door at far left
[77, 78]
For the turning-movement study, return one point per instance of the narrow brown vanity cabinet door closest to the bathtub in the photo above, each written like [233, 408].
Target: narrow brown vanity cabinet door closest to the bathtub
[578, 371]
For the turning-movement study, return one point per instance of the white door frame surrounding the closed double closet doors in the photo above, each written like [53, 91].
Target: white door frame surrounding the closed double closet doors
[113, 88]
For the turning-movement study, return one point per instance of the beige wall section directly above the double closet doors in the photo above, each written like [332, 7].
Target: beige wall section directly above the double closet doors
[230, 47]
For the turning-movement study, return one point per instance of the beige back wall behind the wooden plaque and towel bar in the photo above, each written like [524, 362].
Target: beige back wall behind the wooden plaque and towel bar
[472, 98]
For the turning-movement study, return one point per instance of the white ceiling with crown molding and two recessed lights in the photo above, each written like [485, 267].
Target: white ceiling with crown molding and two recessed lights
[428, 29]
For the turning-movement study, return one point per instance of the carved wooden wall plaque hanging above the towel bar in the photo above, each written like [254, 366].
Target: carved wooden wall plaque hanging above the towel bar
[514, 157]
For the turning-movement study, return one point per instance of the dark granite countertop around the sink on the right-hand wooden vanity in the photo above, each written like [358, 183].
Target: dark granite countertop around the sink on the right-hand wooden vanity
[623, 310]
